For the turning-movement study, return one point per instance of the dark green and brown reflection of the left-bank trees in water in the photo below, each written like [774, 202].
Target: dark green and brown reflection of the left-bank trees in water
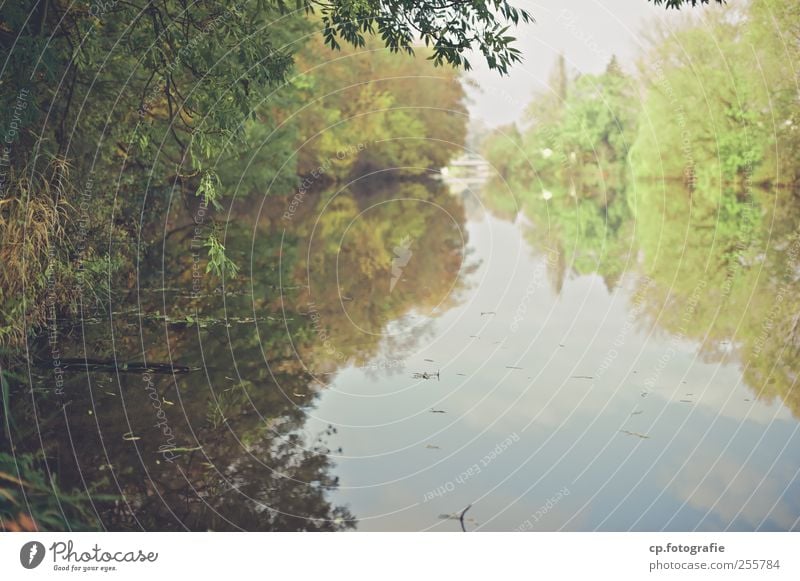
[222, 444]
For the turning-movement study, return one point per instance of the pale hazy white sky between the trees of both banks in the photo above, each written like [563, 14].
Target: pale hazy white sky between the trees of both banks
[587, 32]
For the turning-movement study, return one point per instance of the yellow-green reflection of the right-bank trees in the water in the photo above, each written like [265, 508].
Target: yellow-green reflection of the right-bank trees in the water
[717, 266]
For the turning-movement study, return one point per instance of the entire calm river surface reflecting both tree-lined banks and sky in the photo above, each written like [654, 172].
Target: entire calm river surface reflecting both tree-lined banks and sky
[577, 361]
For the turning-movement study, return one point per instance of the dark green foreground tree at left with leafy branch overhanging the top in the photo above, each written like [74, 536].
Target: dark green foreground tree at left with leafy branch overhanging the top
[144, 100]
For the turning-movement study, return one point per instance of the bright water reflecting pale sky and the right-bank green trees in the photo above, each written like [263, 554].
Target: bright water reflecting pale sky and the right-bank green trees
[628, 392]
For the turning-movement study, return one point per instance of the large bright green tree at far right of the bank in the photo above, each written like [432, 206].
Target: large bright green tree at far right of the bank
[723, 110]
